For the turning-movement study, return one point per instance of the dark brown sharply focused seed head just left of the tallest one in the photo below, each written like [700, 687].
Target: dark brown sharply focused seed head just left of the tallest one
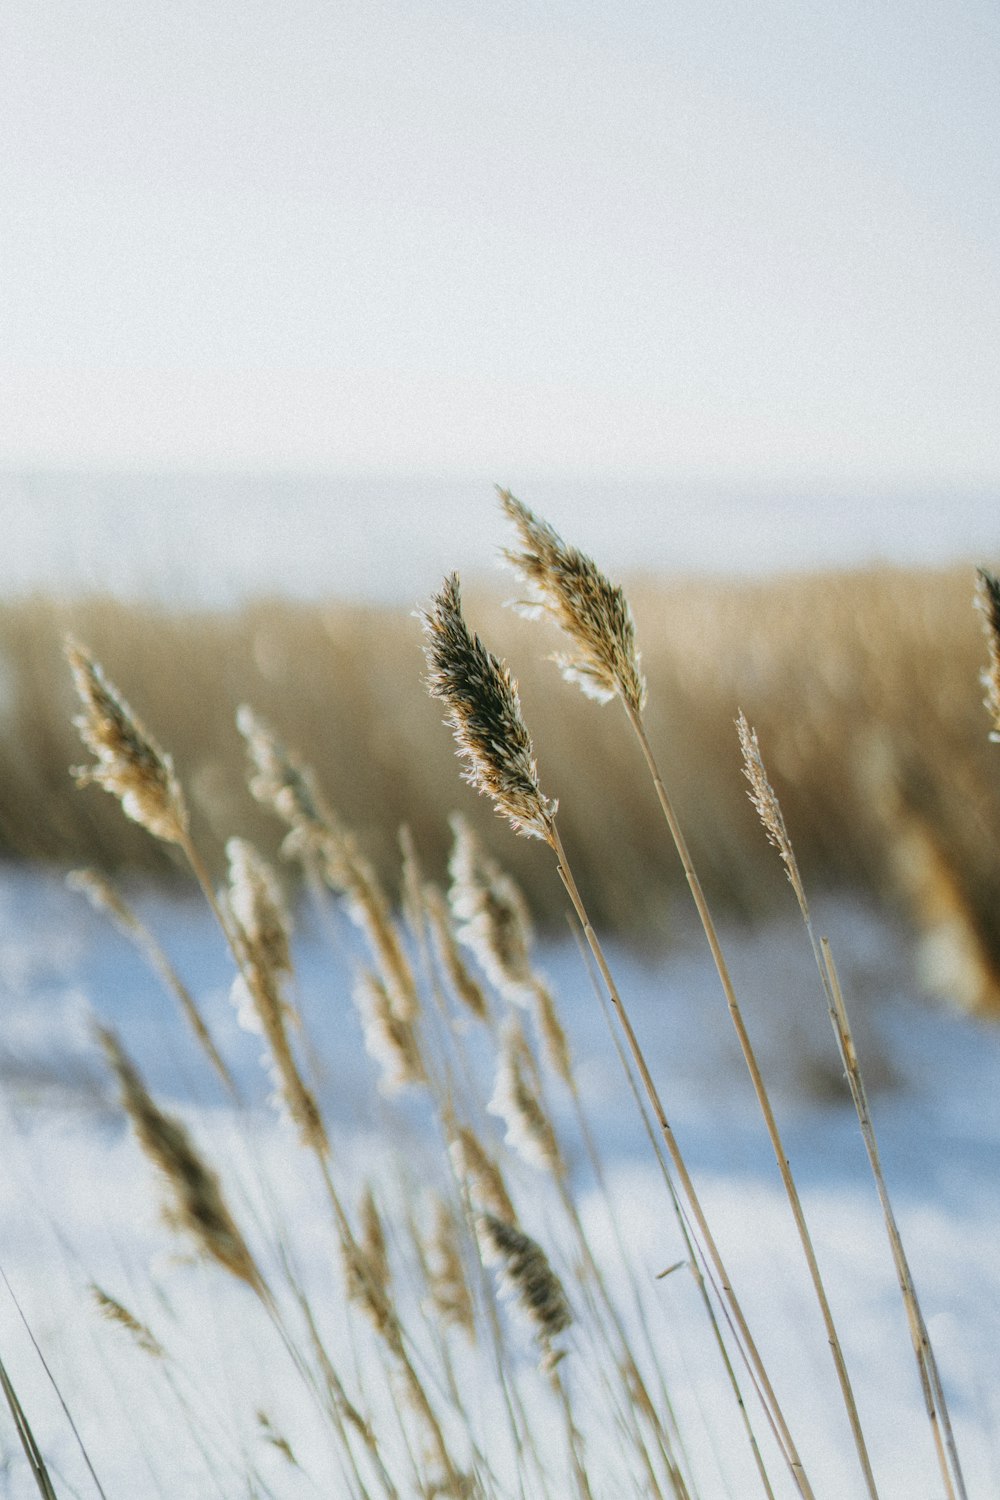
[484, 710]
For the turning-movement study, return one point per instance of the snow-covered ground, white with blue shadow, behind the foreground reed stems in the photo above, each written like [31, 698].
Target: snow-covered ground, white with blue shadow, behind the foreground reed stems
[79, 1205]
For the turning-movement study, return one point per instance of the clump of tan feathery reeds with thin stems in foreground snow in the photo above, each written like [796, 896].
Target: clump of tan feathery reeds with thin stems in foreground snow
[416, 1027]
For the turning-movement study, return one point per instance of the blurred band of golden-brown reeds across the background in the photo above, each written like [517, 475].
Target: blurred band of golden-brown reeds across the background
[864, 688]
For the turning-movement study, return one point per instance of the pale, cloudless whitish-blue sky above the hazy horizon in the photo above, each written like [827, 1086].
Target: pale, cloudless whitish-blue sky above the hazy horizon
[704, 241]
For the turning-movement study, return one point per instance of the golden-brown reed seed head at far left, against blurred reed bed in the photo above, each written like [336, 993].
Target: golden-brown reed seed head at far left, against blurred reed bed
[128, 763]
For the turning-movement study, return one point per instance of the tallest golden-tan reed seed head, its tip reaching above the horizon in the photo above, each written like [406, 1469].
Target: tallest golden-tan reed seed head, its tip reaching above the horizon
[567, 587]
